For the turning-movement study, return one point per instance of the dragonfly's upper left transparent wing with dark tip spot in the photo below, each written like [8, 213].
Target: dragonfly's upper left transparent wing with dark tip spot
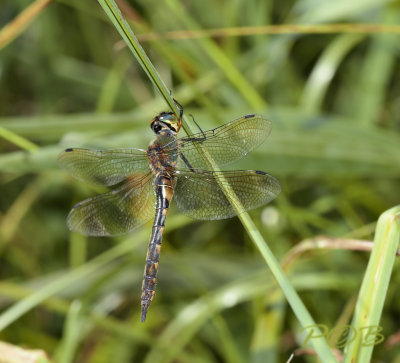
[103, 167]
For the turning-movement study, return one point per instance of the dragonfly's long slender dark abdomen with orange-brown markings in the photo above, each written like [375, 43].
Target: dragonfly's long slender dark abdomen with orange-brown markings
[164, 191]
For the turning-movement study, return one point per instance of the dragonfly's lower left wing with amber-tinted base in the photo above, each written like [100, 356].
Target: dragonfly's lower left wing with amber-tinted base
[116, 212]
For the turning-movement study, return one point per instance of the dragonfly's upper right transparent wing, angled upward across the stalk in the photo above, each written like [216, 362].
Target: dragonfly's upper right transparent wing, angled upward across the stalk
[226, 143]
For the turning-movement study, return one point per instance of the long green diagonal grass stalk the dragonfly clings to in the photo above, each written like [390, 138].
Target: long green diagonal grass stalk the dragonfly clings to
[295, 302]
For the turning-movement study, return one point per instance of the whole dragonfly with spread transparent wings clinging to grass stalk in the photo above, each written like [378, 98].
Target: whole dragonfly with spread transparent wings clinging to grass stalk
[143, 182]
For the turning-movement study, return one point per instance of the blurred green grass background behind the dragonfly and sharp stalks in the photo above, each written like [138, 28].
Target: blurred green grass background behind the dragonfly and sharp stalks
[334, 100]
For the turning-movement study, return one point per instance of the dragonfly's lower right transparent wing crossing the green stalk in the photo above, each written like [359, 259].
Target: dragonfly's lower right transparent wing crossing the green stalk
[198, 194]
